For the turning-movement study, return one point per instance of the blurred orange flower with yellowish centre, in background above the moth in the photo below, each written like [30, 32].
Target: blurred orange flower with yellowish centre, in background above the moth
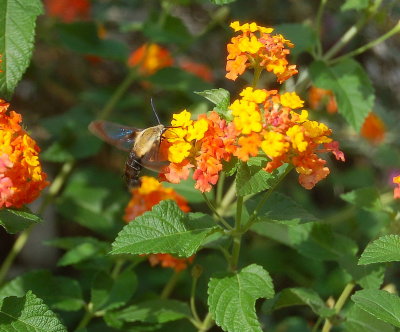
[149, 58]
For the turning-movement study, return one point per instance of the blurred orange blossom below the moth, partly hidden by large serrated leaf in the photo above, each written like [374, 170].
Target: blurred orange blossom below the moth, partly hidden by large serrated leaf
[150, 193]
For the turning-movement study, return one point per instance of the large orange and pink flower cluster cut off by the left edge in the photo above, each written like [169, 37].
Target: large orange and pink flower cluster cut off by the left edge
[21, 176]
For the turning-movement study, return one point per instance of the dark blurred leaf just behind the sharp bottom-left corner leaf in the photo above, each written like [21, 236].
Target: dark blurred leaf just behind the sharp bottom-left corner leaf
[60, 293]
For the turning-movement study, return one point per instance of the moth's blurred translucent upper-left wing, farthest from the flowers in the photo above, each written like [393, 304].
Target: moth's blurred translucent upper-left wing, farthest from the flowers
[115, 134]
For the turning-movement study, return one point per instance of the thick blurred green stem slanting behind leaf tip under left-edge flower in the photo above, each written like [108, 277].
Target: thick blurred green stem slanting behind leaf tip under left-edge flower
[23, 237]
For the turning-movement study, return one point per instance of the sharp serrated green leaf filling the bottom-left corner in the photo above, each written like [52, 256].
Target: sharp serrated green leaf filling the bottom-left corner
[28, 314]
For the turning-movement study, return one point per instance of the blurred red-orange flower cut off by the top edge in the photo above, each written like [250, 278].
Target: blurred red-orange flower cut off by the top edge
[68, 10]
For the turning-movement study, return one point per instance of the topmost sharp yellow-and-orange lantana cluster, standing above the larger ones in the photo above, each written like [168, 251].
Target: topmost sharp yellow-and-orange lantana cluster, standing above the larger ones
[256, 47]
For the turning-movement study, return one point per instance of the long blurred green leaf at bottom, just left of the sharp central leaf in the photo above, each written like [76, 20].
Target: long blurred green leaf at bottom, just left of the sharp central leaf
[152, 311]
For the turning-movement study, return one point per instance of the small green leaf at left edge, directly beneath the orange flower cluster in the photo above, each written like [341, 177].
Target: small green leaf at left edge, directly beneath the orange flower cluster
[15, 221]
